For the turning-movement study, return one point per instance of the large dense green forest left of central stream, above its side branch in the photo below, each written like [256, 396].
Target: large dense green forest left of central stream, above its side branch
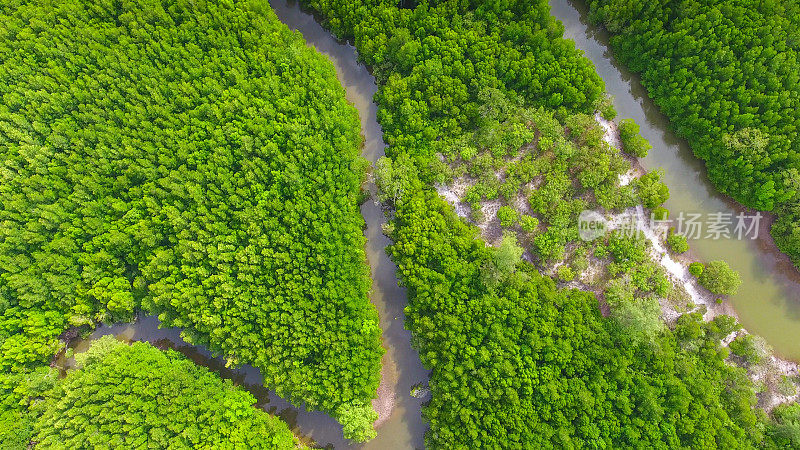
[195, 159]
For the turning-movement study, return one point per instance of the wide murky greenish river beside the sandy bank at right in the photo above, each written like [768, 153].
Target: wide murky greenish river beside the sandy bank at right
[768, 303]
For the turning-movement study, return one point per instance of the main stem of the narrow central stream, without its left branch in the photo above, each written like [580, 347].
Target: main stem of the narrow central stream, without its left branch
[405, 428]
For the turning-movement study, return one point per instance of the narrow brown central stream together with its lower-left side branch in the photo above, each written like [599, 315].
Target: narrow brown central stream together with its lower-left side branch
[402, 369]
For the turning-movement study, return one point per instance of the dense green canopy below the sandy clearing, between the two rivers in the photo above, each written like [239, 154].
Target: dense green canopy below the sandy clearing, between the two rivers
[519, 364]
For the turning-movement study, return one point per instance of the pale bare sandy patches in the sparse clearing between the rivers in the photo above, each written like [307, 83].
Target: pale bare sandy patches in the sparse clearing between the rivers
[774, 377]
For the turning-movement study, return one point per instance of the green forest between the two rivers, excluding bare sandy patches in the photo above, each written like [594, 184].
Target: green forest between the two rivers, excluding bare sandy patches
[516, 362]
